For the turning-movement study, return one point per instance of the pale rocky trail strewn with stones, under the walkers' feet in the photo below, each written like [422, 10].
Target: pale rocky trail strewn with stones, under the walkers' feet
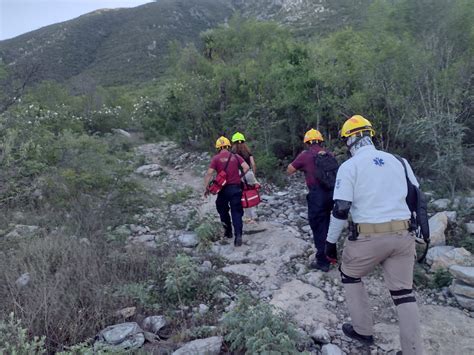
[275, 261]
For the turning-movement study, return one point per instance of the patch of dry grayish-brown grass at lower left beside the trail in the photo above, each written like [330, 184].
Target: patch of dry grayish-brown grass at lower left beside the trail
[71, 293]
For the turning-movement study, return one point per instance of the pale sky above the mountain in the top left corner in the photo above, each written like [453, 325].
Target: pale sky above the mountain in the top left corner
[21, 16]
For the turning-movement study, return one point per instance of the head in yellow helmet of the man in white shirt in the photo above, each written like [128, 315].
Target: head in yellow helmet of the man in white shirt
[356, 131]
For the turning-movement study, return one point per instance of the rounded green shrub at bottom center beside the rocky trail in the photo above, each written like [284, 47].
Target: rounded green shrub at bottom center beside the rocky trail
[256, 328]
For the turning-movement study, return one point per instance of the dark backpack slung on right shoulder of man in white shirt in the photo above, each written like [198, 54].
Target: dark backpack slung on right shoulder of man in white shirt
[418, 207]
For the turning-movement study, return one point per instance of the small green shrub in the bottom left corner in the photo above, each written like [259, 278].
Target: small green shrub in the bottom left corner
[14, 339]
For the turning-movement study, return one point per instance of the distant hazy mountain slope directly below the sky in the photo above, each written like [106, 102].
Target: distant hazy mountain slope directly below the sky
[130, 45]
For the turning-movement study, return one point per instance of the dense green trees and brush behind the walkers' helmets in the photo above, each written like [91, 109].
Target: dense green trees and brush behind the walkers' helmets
[411, 77]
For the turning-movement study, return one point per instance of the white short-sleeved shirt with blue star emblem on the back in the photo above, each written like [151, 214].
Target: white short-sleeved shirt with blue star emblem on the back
[374, 181]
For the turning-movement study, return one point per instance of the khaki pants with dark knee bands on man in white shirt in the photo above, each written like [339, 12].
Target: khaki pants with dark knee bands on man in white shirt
[395, 252]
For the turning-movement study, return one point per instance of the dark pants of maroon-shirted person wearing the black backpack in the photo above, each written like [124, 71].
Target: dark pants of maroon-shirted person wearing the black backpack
[320, 205]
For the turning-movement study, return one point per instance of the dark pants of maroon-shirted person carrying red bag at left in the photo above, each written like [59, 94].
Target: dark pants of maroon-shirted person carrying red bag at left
[230, 198]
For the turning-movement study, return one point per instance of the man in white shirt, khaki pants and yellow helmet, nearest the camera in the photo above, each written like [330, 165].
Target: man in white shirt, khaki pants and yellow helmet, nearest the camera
[372, 187]
